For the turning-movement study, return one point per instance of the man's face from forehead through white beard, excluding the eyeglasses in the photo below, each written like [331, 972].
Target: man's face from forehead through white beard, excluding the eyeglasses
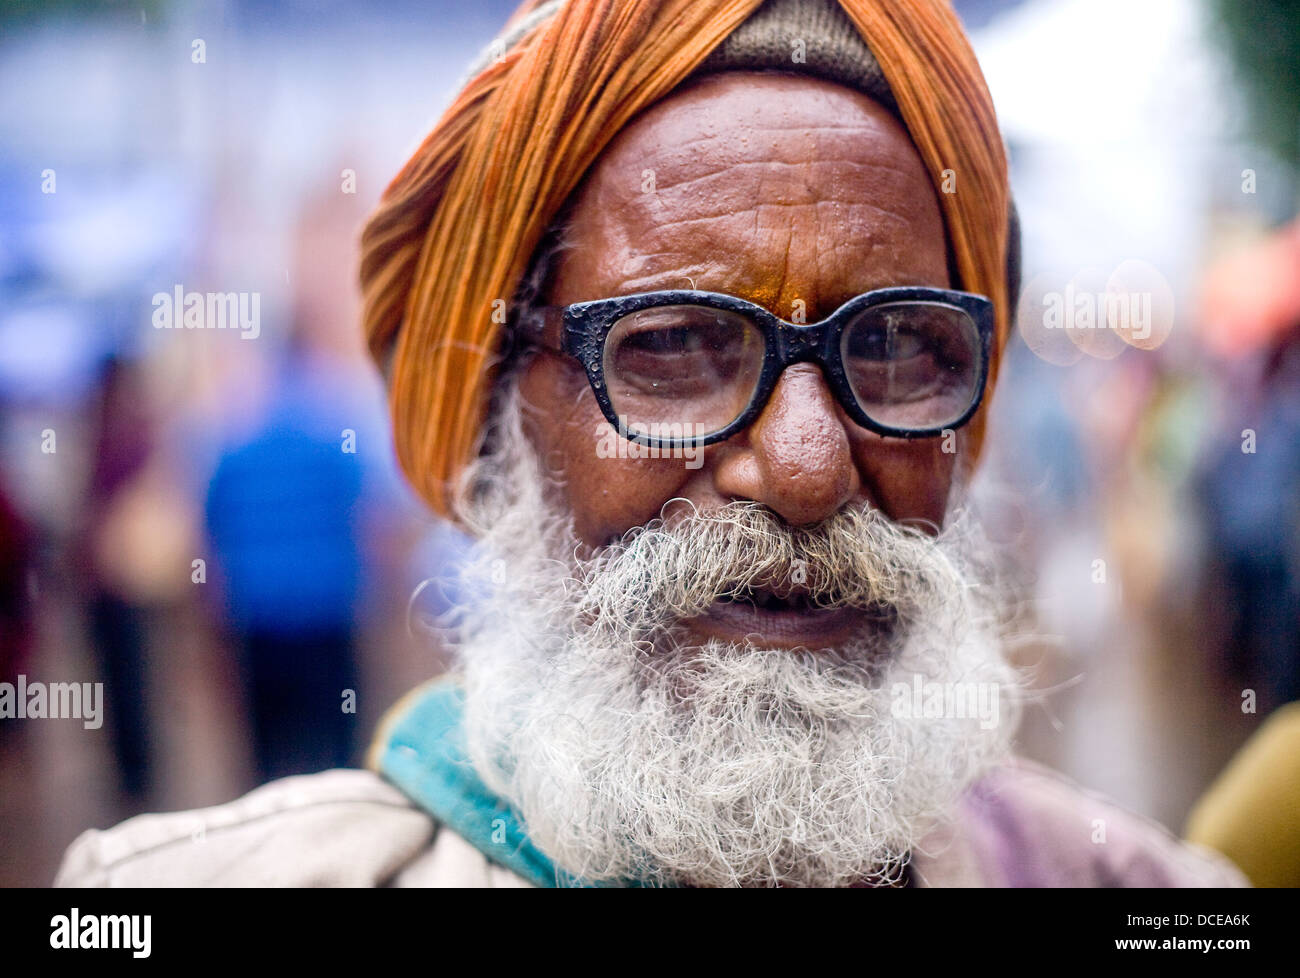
[634, 686]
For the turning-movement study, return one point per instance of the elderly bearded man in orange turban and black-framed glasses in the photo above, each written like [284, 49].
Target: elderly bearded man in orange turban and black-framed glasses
[691, 311]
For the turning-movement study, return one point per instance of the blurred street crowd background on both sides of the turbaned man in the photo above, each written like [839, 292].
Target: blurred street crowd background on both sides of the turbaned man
[200, 520]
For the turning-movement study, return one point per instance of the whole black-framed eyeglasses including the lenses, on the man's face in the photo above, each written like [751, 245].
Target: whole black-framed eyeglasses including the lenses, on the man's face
[690, 369]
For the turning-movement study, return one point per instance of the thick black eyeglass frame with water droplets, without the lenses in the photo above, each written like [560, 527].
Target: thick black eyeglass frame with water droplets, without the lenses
[582, 328]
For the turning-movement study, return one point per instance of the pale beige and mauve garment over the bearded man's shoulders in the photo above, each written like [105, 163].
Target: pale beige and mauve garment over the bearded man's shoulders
[1020, 826]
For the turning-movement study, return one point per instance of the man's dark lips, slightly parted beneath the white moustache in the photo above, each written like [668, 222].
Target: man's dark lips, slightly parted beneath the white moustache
[783, 621]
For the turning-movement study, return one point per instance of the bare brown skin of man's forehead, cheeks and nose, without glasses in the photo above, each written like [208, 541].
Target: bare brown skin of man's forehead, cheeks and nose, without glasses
[772, 188]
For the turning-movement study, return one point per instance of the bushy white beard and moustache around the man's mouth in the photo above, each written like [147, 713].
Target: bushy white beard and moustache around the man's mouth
[630, 756]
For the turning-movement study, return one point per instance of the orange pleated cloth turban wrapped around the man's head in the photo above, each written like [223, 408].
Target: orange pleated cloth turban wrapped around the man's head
[457, 230]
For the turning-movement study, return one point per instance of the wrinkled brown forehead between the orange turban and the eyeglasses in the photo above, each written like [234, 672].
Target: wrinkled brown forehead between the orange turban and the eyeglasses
[766, 185]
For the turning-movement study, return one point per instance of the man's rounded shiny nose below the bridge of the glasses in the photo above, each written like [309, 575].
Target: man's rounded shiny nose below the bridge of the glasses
[796, 458]
